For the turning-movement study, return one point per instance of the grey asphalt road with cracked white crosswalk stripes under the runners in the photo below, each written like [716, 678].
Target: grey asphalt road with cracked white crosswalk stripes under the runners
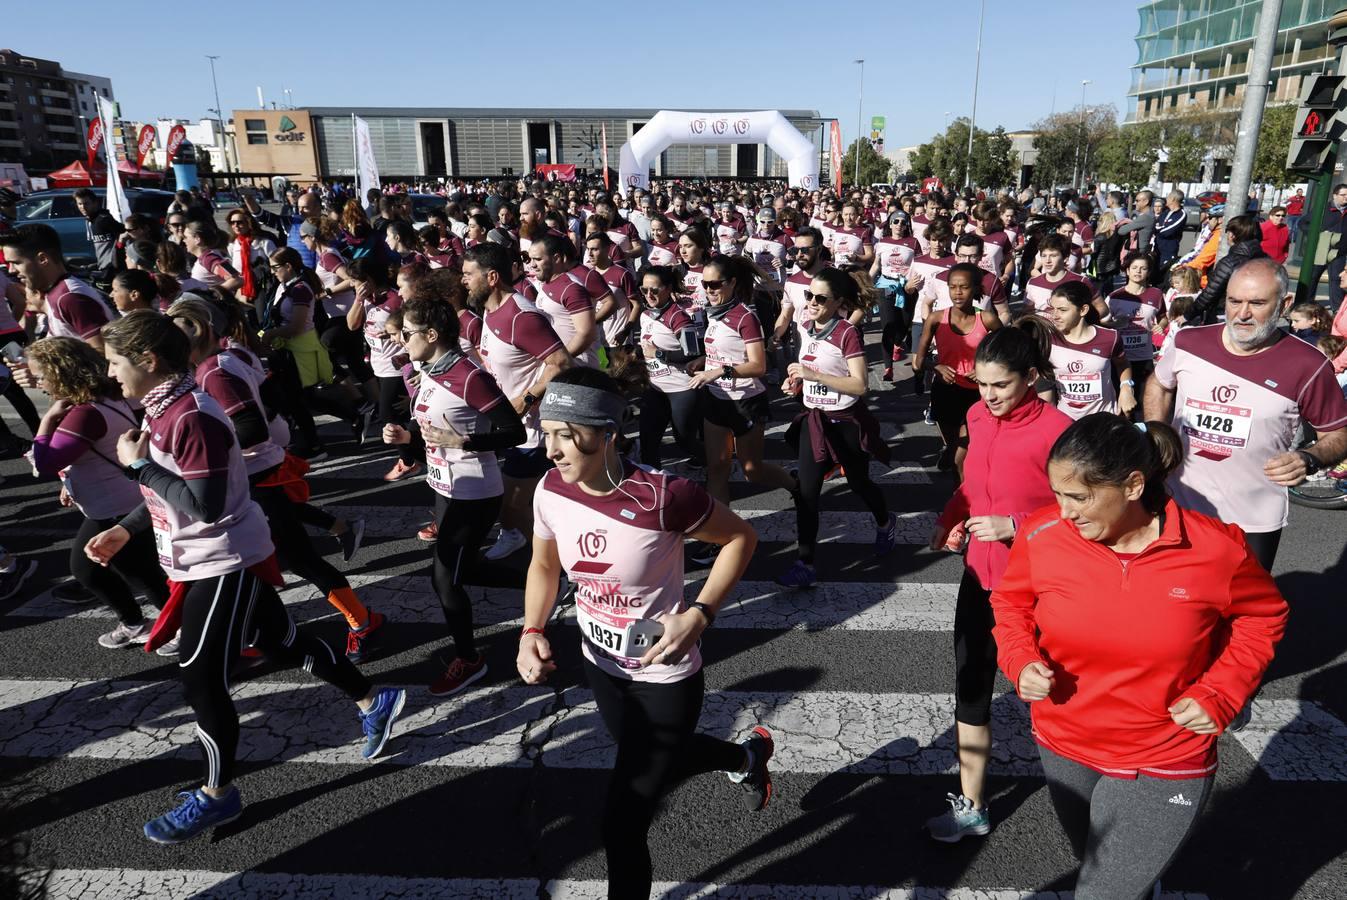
[496, 793]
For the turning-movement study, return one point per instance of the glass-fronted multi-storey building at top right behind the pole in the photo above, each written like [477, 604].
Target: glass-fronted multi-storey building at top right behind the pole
[1193, 56]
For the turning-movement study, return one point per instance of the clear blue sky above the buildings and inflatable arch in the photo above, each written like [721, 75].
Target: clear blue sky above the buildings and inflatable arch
[755, 56]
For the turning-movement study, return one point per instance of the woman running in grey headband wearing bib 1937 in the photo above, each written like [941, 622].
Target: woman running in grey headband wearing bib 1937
[597, 513]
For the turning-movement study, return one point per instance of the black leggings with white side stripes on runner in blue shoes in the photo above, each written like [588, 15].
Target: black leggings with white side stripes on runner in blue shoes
[218, 616]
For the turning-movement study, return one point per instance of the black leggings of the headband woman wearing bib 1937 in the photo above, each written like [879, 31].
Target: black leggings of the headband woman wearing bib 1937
[658, 747]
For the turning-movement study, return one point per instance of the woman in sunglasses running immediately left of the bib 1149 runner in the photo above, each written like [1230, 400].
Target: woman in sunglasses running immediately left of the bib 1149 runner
[735, 405]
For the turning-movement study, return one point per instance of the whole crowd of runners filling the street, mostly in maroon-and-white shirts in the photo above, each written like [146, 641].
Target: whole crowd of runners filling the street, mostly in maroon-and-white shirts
[1120, 426]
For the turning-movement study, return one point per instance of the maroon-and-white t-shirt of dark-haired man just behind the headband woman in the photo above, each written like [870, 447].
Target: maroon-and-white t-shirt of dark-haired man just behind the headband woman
[517, 340]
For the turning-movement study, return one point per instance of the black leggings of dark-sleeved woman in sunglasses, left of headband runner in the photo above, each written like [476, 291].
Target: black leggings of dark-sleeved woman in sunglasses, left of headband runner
[463, 529]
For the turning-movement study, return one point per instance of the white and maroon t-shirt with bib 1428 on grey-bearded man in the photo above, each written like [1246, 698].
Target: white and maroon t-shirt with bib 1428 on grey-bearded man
[1236, 413]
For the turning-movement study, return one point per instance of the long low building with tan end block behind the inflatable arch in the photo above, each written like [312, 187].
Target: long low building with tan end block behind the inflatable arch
[421, 143]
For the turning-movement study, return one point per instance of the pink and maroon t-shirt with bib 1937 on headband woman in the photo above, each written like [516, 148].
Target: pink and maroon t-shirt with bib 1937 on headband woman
[624, 554]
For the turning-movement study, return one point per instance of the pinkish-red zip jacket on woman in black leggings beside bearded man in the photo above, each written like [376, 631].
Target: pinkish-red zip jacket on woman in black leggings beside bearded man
[1006, 474]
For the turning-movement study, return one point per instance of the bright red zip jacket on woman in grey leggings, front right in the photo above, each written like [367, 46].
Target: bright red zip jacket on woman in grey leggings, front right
[1193, 615]
